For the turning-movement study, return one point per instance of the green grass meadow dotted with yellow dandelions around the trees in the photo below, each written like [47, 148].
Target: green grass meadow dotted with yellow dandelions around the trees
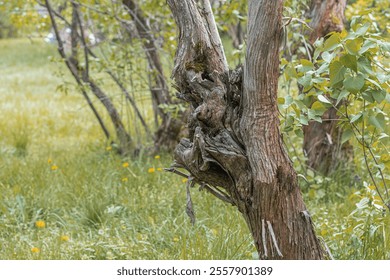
[64, 194]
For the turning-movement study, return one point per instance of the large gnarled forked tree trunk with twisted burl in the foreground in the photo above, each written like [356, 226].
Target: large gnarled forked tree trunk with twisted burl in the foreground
[235, 149]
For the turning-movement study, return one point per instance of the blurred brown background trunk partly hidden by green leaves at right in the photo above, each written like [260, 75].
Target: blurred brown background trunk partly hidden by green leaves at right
[322, 140]
